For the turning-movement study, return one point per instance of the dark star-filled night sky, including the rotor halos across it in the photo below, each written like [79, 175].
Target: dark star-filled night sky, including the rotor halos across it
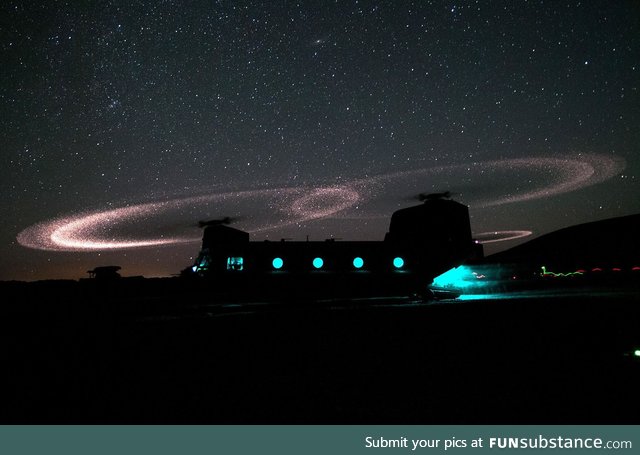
[124, 123]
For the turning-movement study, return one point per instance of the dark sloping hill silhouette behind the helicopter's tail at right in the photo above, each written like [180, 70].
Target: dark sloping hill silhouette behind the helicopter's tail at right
[608, 242]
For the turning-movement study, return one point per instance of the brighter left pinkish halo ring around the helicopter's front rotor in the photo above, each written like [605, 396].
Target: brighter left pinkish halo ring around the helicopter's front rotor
[92, 231]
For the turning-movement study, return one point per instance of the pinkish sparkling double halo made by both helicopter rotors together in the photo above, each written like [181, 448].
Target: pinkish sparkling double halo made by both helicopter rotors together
[274, 208]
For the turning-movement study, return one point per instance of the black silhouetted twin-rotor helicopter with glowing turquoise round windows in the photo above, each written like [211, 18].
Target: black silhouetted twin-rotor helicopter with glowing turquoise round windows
[423, 241]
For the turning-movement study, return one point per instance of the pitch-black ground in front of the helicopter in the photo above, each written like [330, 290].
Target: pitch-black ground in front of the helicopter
[120, 354]
